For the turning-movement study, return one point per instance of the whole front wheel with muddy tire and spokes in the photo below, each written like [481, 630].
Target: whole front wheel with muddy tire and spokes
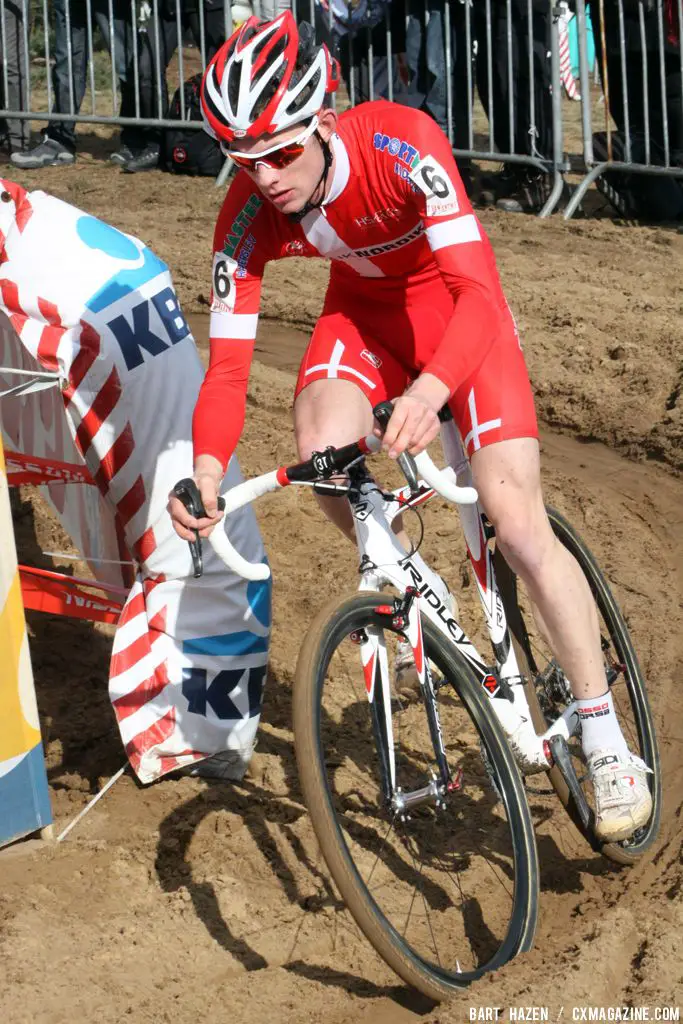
[449, 889]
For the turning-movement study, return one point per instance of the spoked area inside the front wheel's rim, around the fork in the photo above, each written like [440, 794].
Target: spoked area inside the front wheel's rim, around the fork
[435, 859]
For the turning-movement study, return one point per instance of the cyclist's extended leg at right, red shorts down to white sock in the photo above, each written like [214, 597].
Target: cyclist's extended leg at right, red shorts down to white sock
[496, 416]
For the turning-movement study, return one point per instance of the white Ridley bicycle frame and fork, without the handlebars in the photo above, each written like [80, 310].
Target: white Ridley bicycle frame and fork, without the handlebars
[383, 563]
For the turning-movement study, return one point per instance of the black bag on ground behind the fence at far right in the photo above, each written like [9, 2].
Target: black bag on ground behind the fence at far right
[638, 197]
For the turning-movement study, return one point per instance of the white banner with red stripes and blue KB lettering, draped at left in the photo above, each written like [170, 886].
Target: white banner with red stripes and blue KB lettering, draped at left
[99, 308]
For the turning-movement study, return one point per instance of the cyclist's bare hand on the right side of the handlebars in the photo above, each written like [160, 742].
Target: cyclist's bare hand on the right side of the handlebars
[415, 421]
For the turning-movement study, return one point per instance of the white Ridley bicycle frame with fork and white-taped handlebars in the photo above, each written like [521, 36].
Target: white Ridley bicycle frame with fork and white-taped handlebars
[385, 563]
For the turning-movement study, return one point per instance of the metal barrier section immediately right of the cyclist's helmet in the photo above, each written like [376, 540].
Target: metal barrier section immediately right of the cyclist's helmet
[507, 52]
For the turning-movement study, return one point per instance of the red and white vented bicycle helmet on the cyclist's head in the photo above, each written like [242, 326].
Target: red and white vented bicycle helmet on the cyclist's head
[269, 76]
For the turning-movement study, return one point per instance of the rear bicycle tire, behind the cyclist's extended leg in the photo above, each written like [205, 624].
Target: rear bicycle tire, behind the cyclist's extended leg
[625, 855]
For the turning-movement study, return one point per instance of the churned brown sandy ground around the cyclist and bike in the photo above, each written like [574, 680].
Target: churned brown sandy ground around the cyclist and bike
[196, 902]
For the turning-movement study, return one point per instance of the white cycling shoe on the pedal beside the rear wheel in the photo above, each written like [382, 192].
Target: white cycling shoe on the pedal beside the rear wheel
[623, 800]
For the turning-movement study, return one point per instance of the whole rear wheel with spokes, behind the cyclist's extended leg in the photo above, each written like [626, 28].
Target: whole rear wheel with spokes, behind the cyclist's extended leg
[548, 690]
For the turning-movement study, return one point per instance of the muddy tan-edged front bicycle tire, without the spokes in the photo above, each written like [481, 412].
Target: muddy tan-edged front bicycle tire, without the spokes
[334, 623]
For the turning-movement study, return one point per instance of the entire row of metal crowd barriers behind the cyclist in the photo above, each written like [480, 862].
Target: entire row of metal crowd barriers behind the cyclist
[491, 72]
